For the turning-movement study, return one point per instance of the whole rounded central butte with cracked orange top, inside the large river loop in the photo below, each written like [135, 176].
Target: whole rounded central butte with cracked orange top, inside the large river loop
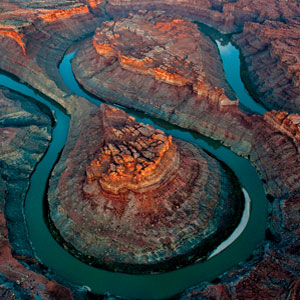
[137, 201]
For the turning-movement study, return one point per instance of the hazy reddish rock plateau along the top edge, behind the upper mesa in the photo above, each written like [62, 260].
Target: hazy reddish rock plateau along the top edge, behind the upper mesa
[225, 15]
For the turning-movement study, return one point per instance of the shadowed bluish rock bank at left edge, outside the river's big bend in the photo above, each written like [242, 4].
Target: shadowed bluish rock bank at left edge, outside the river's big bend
[25, 133]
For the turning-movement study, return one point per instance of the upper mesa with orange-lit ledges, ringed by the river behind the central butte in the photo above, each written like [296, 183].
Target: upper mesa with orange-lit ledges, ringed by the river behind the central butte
[150, 59]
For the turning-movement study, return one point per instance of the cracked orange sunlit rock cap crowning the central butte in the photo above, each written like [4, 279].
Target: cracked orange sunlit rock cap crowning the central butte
[133, 157]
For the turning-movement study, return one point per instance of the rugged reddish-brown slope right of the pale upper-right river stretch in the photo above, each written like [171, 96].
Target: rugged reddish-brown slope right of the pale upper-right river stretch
[272, 60]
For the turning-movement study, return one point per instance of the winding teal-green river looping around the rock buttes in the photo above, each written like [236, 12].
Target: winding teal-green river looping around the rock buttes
[238, 247]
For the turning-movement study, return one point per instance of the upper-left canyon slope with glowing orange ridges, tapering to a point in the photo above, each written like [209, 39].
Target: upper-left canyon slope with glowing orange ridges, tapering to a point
[34, 38]
